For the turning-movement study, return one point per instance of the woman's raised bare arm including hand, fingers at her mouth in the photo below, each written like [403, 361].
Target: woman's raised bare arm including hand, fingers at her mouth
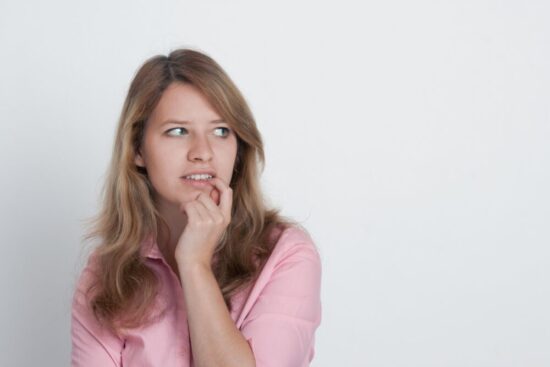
[215, 340]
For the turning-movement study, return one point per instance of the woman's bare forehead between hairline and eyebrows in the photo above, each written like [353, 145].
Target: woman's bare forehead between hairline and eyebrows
[183, 102]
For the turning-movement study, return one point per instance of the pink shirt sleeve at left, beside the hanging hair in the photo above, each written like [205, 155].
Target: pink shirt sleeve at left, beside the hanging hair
[92, 345]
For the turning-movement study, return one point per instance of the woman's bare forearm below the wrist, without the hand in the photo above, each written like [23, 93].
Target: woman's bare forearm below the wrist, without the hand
[215, 339]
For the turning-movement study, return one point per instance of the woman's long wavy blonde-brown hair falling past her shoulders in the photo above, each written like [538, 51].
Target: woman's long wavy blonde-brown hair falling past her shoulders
[125, 288]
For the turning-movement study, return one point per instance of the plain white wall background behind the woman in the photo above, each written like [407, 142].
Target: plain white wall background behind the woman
[410, 137]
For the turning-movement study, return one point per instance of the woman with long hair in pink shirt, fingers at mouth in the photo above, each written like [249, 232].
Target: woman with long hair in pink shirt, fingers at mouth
[192, 269]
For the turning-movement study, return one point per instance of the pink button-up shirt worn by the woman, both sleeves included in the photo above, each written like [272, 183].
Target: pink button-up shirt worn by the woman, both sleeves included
[278, 317]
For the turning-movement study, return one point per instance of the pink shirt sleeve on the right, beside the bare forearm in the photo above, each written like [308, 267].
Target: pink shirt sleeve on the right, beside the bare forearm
[280, 327]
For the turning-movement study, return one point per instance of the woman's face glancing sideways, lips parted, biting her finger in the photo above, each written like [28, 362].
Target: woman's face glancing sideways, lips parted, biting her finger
[185, 135]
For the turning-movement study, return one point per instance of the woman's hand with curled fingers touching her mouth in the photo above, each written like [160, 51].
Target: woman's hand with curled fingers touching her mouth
[206, 222]
